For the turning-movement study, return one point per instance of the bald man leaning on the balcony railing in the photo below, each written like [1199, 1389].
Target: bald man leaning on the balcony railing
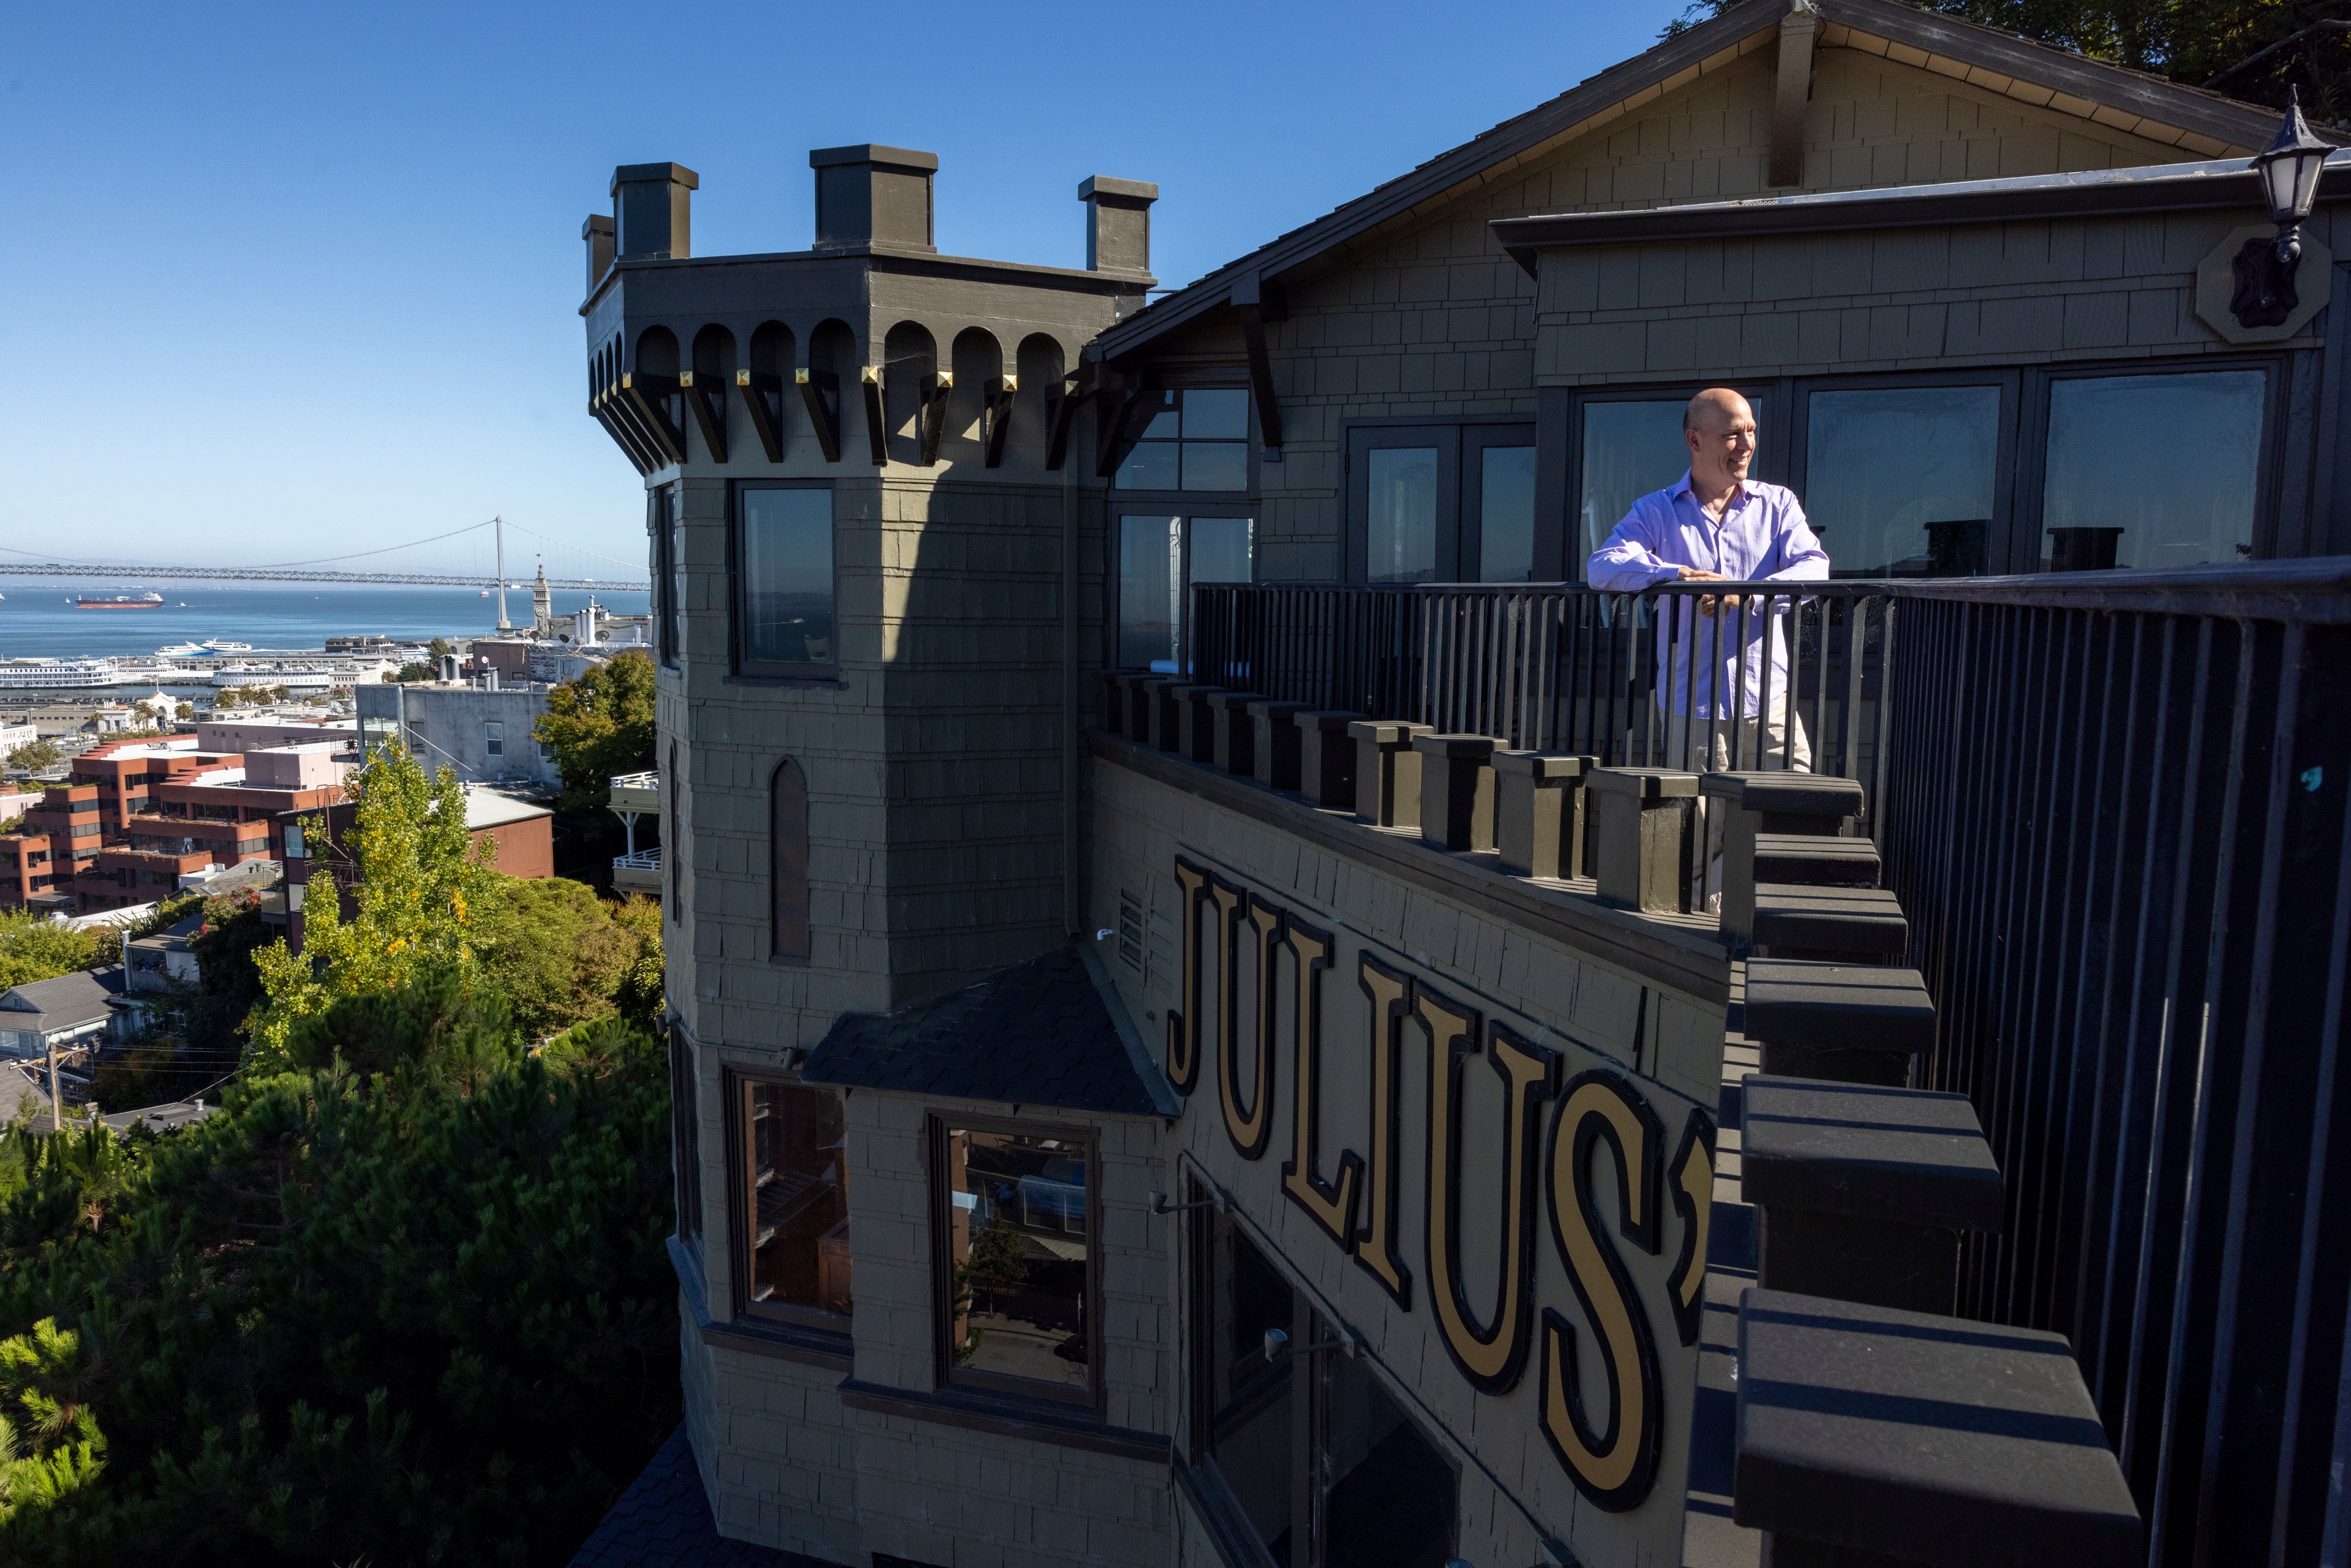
[1720, 525]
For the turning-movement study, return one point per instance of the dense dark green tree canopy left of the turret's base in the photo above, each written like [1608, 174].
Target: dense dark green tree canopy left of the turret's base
[406, 1304]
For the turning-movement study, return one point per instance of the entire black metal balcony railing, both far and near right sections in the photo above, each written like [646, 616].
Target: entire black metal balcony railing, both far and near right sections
[2115, 810]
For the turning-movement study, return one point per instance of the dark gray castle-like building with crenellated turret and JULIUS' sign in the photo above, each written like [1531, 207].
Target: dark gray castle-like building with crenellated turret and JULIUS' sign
[1080, 1151]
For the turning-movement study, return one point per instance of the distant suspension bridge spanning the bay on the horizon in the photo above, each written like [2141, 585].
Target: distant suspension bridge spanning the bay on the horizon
[431, 563]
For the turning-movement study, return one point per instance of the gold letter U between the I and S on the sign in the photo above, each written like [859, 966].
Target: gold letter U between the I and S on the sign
[1489, 1358]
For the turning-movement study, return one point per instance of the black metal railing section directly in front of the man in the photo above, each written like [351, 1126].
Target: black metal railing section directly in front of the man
[1687, 676]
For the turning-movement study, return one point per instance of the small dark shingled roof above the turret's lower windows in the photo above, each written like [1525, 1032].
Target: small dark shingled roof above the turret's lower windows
[1036, 1033]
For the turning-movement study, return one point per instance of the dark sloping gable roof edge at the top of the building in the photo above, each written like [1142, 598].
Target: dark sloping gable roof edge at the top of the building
[2202, 123]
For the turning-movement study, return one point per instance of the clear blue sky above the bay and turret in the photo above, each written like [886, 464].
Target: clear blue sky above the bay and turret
[290, 279]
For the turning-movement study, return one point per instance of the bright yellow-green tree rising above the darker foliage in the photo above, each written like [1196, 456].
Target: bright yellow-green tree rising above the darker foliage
[422, 885]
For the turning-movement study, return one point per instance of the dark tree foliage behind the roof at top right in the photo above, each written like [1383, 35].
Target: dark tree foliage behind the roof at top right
[2188, 41]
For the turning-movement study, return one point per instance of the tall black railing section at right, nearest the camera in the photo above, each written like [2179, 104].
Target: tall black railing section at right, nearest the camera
[2117, 824]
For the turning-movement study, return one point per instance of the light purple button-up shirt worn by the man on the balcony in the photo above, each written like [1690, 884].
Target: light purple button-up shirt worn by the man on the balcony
[1762, 537]
